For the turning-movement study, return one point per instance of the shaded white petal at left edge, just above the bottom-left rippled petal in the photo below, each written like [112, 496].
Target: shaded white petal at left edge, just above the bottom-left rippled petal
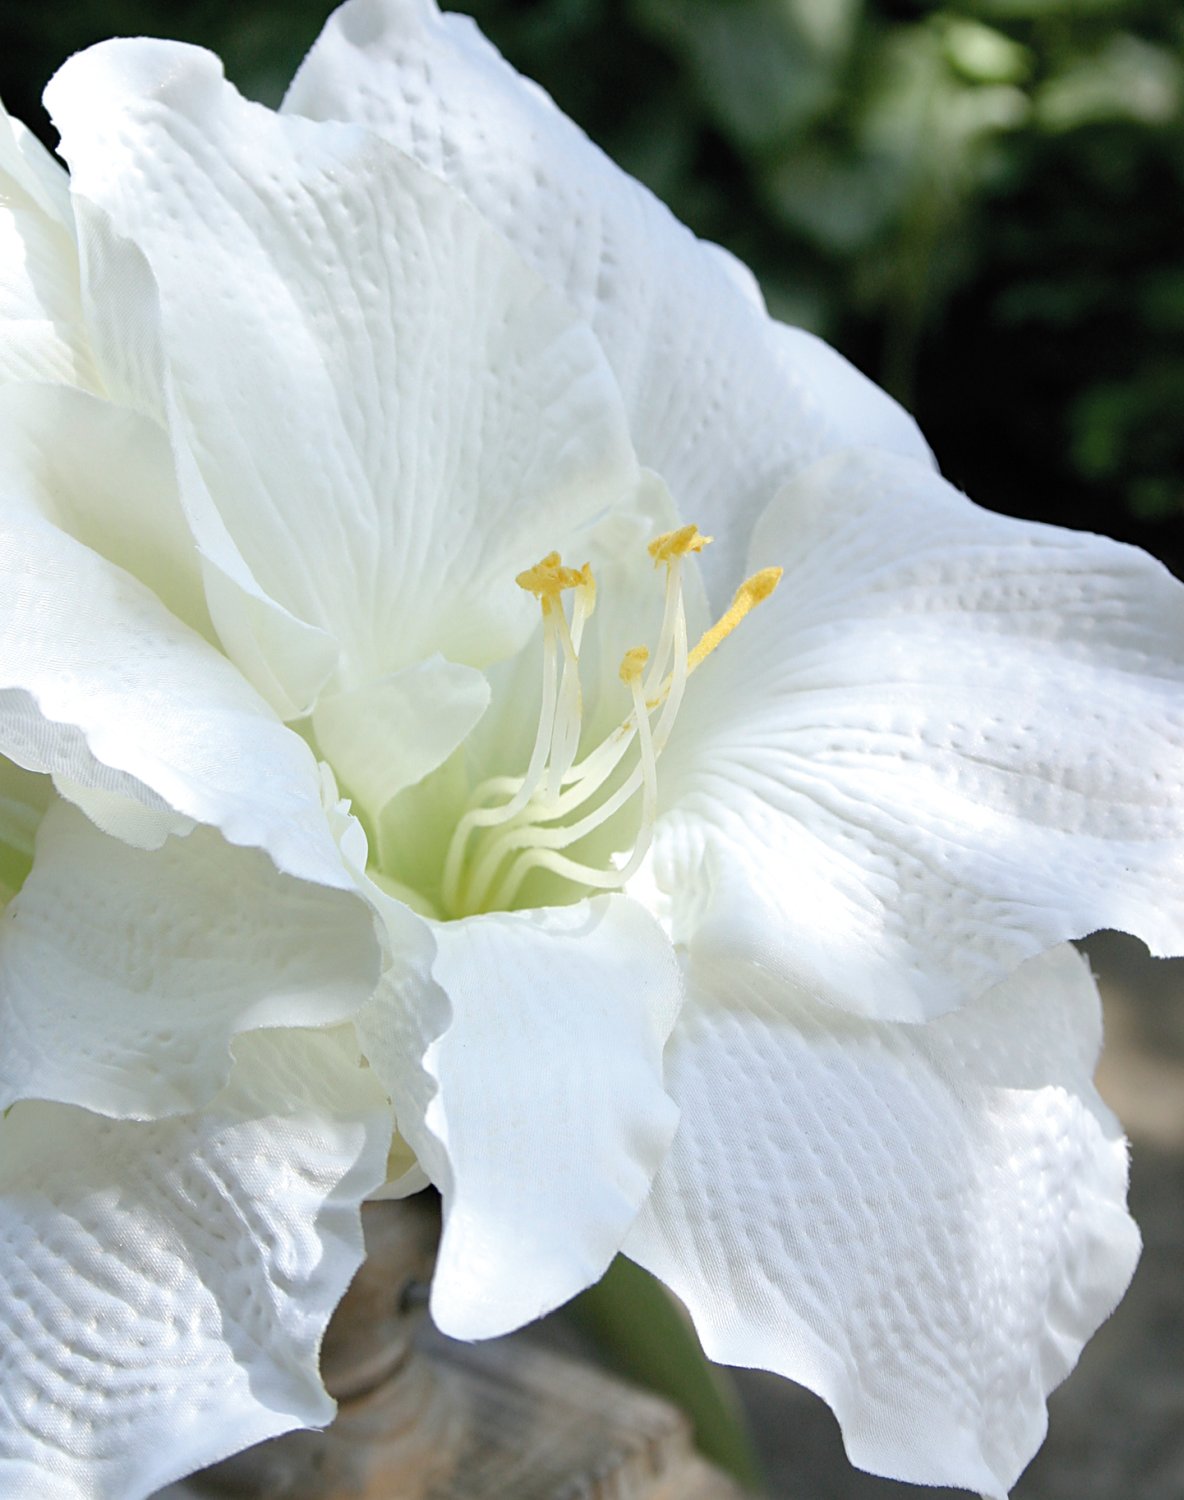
[125, 976]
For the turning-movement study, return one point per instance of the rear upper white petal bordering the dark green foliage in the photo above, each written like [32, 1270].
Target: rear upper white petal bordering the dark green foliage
[723, 401]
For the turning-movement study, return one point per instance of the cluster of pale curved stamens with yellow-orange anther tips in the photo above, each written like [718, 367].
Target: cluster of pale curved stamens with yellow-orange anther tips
[515, 826]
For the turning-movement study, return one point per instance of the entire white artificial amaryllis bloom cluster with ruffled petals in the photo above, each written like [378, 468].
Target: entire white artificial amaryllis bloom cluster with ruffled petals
[697, 904]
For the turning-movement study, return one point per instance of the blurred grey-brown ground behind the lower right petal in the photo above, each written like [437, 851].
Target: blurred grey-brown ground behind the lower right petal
[1117, 1426]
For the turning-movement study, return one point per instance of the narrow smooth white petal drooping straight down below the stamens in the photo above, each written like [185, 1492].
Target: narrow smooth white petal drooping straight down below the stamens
[538, 1108]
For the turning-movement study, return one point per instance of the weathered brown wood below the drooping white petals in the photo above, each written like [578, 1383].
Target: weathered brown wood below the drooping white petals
[425, 1418]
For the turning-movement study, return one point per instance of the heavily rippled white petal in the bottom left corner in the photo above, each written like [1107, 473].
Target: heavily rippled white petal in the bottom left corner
[164, 1288]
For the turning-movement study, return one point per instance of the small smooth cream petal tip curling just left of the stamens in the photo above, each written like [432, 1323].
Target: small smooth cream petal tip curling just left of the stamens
[391, 734]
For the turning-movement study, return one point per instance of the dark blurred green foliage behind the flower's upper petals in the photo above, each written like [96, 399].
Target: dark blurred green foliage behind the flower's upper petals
[981, 202]
